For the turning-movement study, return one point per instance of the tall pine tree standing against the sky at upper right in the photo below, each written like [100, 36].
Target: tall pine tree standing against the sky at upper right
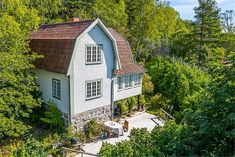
[207, 29]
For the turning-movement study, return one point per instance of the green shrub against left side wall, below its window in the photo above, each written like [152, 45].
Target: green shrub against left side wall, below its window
[52, 117]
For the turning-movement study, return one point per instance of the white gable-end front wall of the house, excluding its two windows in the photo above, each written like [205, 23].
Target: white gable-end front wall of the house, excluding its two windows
[80, 72]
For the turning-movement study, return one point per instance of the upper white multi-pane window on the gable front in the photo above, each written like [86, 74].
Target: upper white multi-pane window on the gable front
[93, 54]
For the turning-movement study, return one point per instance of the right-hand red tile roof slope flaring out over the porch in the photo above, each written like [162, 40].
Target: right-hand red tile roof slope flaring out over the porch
[128, 66]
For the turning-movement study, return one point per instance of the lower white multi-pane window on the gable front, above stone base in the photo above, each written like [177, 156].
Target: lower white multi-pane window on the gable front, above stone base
[93, 89]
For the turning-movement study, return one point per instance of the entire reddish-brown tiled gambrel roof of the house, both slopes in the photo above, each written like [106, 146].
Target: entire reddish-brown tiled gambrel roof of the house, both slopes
[56, 43]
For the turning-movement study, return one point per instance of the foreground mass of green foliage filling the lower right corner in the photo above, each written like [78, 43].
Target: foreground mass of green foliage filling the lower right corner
[208, 130]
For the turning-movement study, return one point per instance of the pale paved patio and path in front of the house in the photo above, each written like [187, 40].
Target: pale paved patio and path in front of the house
[139, 120]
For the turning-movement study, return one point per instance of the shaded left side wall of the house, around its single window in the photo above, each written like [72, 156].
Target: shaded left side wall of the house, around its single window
[44, 79]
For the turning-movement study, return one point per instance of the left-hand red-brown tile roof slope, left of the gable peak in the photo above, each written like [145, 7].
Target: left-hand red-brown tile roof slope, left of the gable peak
[56, 42]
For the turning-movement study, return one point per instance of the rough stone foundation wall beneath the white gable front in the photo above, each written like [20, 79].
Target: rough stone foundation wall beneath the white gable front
[101, 114]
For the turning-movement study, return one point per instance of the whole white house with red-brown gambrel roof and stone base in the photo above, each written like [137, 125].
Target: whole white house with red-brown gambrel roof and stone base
[85, 69]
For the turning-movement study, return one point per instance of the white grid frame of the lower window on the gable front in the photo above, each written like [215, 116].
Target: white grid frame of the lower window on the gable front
[94, 93]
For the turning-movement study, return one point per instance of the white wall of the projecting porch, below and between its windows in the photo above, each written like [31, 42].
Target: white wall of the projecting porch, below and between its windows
[125, 93]
